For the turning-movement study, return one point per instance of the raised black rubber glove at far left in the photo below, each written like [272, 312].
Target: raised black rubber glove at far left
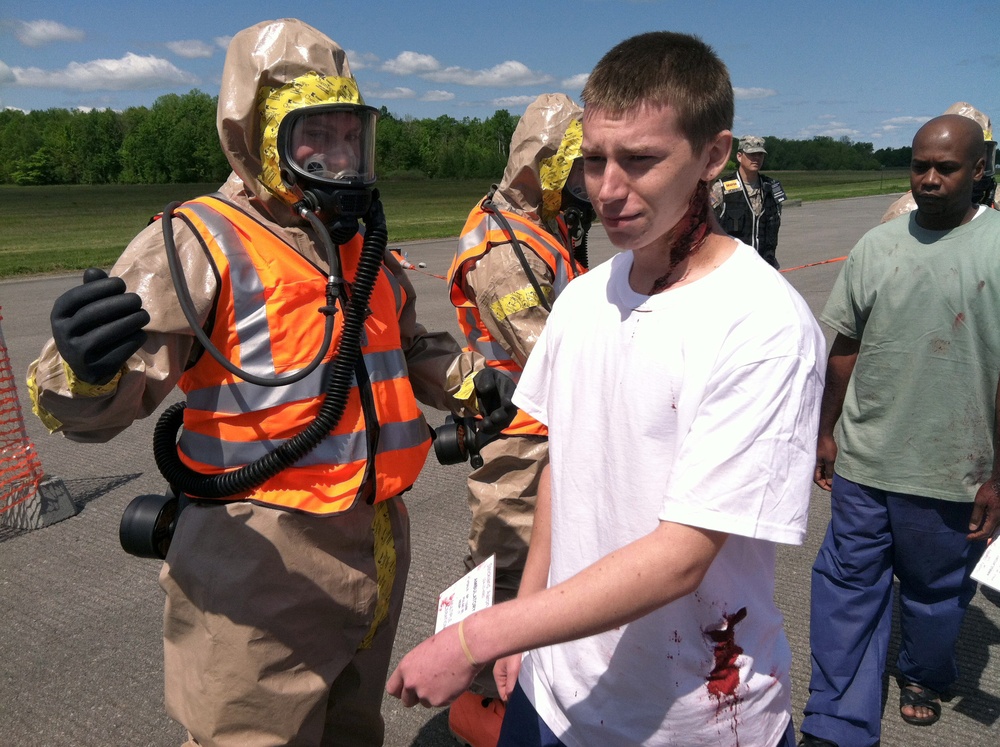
[97, 326]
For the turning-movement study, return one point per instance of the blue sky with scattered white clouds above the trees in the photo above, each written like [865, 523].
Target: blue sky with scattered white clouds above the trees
[871, 71]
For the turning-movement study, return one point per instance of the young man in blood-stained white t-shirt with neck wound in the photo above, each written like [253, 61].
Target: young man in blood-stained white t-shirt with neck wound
[681, 384]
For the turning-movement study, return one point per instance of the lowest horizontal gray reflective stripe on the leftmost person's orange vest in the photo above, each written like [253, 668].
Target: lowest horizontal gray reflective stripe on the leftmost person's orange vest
[340, 449]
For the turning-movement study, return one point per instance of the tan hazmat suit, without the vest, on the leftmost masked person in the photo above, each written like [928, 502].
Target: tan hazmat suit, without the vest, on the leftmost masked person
[278, 625]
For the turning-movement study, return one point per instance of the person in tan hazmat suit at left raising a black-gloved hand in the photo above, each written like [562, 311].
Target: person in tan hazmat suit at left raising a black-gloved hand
[282, 596]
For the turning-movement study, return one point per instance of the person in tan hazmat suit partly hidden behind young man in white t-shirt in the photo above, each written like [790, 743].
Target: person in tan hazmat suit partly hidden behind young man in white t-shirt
[519, 248]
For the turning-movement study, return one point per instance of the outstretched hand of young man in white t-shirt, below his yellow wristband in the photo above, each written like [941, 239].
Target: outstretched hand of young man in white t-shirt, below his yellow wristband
[434, 673]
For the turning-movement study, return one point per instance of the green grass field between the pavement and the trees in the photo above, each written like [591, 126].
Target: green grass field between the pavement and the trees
[61, 228]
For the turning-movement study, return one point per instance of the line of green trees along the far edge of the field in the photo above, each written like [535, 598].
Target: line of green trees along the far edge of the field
[175, 141]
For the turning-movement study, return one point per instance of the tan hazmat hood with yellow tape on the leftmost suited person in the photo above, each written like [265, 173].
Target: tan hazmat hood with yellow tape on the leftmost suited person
[270, 69]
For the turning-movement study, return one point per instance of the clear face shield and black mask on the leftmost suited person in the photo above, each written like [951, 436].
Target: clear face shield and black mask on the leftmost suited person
[328, 152]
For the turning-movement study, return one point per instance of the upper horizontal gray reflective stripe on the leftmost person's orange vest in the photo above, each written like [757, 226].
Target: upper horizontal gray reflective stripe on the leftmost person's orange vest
[240, 397]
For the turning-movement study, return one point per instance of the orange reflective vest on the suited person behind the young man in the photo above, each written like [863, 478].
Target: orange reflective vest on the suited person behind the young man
[481, 233]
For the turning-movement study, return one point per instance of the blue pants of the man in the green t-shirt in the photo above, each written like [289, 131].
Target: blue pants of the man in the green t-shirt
[874, 534]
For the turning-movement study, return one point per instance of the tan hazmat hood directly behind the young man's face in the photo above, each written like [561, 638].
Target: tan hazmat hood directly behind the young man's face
[545, 143]
